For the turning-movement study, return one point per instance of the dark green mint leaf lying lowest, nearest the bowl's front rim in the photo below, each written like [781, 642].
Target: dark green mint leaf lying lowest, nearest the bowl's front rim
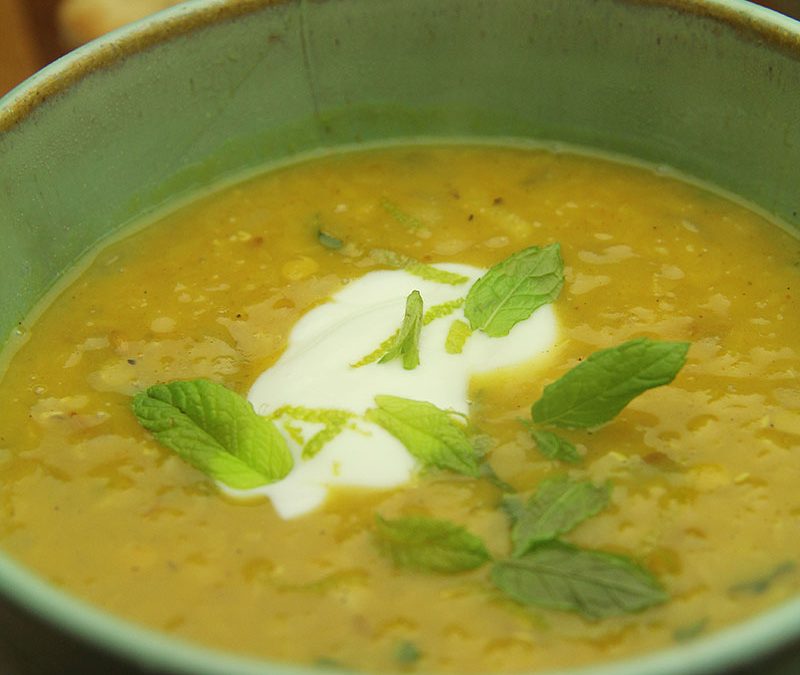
[592, 583]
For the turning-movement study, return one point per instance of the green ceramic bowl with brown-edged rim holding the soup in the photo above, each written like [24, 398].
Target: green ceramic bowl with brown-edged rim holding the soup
[213, 88]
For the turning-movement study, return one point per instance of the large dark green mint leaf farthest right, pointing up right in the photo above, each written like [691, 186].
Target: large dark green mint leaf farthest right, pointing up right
[595, 390]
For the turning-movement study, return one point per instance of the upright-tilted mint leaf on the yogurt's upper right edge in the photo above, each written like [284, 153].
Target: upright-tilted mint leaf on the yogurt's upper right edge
[514, 289]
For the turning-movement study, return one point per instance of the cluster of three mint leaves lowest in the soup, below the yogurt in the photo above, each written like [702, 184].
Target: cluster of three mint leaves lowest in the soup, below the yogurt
[543, 570]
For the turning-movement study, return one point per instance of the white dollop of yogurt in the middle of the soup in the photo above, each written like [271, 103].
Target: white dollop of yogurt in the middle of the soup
[317, 371]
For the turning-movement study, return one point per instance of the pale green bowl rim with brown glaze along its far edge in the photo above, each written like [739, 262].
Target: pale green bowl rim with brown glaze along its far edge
[729, 647]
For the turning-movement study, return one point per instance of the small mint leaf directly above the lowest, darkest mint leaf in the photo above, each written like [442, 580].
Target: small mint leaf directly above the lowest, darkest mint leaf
[557, 506]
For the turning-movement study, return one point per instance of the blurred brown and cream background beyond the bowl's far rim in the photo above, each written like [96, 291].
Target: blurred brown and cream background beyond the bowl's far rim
[35, 32]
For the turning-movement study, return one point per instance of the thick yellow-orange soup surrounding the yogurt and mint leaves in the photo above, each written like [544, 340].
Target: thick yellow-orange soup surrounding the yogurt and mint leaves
[702, 473]
